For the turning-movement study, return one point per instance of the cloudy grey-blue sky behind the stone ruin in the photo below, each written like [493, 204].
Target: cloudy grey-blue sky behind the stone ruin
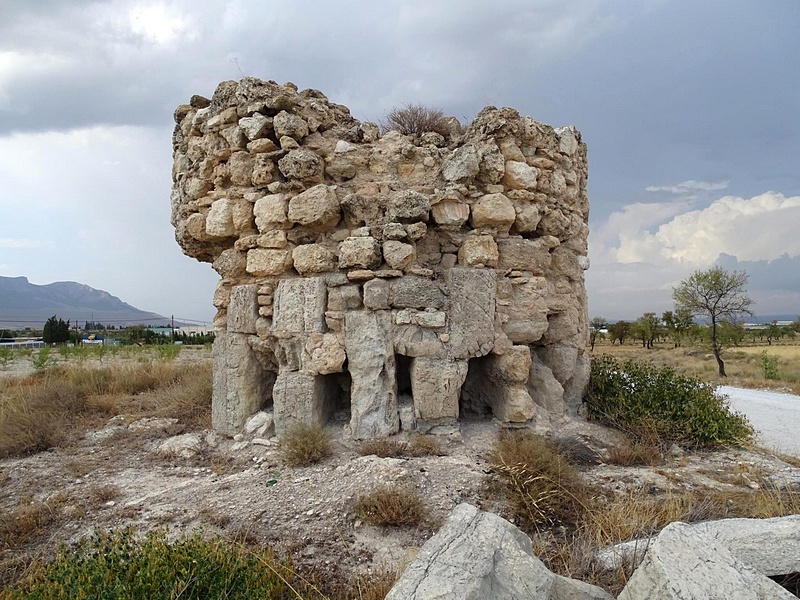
[691, 111]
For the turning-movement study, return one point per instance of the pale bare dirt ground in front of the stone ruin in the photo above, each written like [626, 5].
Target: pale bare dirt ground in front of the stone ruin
[123, 475]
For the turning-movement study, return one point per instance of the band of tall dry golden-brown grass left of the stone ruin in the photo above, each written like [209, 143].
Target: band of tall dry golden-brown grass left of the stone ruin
[47, 409]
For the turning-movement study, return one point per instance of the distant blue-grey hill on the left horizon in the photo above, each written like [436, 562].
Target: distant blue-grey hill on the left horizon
[24, 304]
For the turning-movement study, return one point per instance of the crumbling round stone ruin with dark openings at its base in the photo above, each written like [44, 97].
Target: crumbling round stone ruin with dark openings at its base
[406, 279]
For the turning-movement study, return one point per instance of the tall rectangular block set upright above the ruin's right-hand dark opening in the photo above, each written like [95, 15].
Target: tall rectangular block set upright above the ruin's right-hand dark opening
[472, 307]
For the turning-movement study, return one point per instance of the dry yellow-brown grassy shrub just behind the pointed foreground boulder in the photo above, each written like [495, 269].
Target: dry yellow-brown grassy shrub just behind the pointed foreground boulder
[540, 483]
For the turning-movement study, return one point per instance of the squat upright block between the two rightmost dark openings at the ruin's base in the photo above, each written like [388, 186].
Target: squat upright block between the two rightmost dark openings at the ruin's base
[436, 387]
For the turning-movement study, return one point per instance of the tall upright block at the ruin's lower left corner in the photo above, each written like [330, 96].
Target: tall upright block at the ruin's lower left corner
[240, 384]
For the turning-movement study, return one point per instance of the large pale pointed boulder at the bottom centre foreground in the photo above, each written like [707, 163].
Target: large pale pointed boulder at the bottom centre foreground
[477, 556]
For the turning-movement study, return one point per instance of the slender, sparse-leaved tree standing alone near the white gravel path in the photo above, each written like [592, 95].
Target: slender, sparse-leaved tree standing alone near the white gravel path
[719, 296]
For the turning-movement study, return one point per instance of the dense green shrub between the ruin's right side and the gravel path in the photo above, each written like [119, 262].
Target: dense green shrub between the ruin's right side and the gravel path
[647, 401]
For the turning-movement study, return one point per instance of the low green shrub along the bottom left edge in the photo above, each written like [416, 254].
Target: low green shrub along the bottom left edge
[118, 565]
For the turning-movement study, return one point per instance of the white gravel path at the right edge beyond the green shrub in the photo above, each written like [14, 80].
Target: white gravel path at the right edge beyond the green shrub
[775, 416]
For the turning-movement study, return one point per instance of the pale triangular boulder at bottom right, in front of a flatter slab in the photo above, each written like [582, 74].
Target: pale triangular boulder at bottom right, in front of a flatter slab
[680, 563]
